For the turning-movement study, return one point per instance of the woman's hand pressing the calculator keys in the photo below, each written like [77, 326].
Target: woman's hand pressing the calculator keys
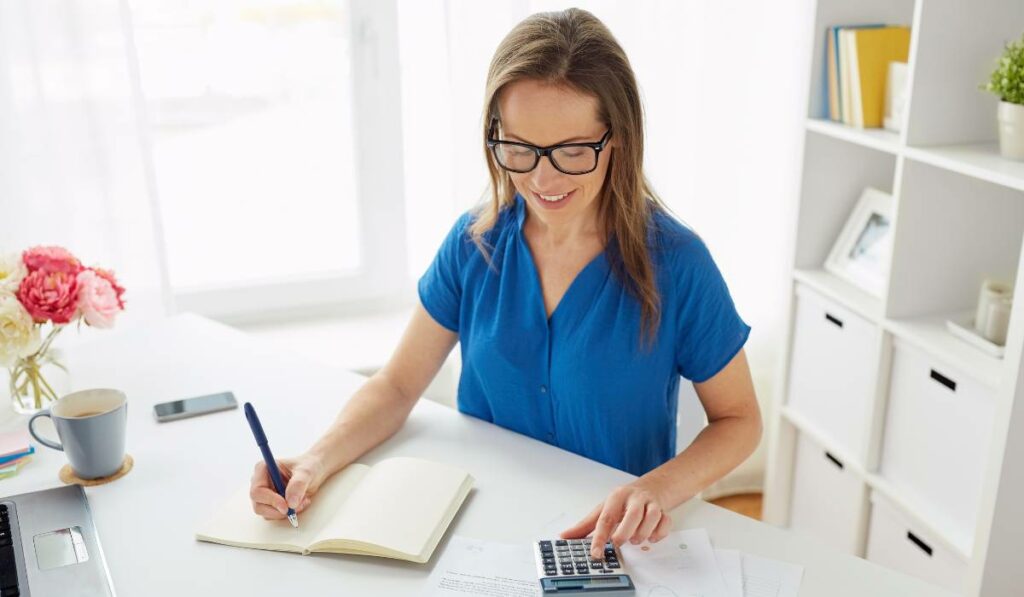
[631, 514]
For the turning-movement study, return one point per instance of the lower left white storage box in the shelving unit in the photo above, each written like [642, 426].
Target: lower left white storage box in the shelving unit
[827, 497]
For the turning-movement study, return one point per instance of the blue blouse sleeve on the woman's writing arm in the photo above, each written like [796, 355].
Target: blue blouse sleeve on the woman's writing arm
[441, 287]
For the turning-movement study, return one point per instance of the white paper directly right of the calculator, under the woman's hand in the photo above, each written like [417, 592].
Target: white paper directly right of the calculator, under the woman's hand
[682, 565]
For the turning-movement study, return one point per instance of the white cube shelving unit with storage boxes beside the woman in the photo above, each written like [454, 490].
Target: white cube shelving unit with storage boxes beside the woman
[894, 440]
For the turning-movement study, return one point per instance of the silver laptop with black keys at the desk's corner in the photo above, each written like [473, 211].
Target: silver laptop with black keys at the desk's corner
[49, 546]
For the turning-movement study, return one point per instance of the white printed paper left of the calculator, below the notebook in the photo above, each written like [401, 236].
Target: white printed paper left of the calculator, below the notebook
[471, 567]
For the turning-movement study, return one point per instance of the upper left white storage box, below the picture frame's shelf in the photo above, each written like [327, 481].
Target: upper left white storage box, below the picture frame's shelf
[834, 369]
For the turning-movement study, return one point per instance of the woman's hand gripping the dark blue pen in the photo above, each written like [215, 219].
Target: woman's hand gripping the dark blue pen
[303, 478]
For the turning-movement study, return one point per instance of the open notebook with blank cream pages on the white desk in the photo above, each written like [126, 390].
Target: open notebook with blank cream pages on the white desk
[398, 508]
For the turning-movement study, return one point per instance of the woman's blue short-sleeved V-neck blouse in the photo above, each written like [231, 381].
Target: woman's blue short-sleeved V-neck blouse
[580, 379]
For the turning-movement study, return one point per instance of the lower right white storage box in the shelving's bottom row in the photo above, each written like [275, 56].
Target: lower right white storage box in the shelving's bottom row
[897, 543]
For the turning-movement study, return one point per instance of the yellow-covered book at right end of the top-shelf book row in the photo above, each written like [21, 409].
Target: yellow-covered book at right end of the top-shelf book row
[871, 53]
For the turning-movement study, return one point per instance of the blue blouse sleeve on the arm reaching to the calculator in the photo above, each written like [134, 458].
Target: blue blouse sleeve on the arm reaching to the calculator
[711, 331]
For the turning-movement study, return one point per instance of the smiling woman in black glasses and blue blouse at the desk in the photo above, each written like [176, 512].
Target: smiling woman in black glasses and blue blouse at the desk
[579, 302]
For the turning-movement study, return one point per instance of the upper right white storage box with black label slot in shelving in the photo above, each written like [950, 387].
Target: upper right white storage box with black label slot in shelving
[938, 430]
